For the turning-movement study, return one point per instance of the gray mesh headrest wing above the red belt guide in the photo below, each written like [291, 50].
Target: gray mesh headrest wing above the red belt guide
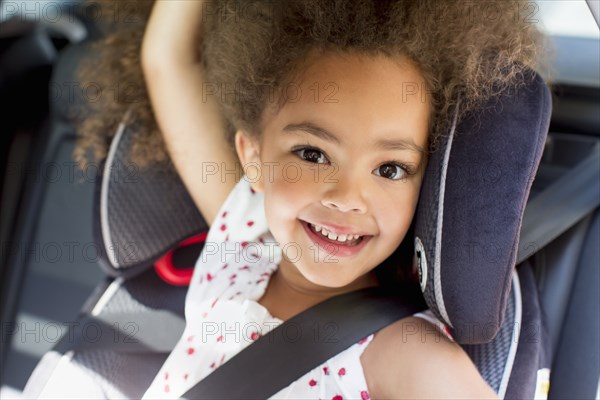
[140, 213]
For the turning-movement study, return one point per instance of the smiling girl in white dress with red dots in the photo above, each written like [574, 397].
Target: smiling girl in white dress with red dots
[332, 107]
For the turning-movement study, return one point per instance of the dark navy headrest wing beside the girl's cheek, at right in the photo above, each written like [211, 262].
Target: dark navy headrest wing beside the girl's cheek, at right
[471, 207]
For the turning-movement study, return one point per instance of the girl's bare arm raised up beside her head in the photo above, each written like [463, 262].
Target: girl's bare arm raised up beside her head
[193, 127]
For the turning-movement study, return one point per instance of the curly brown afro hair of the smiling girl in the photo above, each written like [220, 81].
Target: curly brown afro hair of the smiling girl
[467, 50]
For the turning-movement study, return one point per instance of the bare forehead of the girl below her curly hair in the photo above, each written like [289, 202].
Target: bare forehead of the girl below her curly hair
[355, 93]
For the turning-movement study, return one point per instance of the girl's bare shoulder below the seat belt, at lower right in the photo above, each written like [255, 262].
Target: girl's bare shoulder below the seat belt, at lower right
[412, 358]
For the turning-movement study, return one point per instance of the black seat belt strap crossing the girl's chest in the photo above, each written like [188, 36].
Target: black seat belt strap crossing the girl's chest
[301, 344]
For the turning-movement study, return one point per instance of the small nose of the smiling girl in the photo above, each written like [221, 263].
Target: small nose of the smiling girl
[345, 195]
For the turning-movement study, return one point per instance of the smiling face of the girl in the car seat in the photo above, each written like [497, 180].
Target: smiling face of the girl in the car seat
[344, 156]
